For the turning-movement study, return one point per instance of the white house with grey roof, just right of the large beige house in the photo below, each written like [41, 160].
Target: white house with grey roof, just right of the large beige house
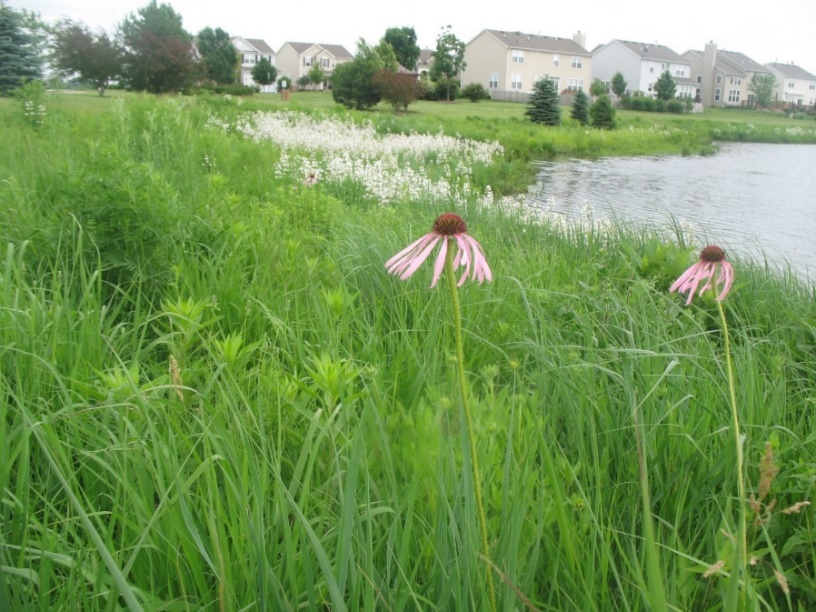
[641, 64]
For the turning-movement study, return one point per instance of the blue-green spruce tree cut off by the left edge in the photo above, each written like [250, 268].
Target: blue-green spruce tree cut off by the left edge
[19, 58]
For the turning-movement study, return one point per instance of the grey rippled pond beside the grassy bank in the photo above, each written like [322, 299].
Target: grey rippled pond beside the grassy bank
[758, 201]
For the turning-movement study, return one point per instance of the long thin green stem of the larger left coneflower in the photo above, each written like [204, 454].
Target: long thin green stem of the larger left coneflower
[474, 462]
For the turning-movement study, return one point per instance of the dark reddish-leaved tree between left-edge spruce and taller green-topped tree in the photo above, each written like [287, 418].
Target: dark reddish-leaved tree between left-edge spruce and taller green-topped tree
[76, 50]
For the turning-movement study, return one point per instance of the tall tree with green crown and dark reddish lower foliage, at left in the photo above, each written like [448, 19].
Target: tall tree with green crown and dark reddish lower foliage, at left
[158, 51]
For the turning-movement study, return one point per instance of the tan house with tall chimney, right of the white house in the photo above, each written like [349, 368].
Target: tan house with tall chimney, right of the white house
[723, 78]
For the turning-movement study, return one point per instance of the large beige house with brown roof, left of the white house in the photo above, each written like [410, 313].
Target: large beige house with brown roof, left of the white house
[509, 63]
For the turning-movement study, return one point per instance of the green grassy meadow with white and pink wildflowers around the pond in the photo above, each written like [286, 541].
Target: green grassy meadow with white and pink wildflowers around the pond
[214, 395]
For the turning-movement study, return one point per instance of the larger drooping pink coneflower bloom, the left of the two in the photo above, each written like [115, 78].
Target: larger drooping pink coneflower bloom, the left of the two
[446, 227]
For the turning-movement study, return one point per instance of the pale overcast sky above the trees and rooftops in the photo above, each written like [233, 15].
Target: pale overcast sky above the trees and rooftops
[765, 32]
